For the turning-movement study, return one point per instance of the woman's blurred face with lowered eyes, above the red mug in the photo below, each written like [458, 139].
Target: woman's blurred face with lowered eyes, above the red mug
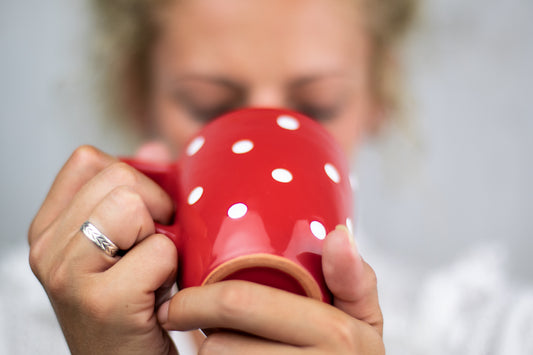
[213, 56]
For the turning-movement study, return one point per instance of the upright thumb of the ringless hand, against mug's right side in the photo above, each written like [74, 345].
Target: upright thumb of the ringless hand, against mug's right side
[351, 280]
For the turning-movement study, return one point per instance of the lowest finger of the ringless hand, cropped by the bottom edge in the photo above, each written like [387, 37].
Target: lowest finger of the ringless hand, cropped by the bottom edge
[225, 342]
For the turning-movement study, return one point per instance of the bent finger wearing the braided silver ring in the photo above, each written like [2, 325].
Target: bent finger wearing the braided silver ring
[123, 218]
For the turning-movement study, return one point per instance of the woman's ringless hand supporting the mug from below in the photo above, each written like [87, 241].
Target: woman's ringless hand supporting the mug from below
[265, 320]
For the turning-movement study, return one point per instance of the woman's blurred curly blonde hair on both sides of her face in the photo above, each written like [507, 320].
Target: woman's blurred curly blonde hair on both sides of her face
[126, 30]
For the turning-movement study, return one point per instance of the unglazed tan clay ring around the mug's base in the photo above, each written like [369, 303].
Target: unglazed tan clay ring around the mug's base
[307, 282]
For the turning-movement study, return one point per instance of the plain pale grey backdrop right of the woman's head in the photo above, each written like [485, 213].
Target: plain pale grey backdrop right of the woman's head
[466, 178]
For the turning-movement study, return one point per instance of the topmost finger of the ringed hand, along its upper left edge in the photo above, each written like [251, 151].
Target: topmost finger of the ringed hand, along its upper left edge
[83, 165]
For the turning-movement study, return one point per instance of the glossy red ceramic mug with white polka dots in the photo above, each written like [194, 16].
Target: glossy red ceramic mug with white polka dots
[256, 191]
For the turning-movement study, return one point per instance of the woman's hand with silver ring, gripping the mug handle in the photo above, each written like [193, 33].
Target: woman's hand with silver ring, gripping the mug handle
[105, 305]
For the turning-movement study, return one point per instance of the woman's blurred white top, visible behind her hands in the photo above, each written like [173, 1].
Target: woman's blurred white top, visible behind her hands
[468, 307]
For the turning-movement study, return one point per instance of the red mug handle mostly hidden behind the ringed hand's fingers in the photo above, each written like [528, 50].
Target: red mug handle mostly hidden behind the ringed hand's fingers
[165, 175]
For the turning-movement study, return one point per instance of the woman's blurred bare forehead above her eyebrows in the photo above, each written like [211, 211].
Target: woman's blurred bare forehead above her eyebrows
[238, 36]
